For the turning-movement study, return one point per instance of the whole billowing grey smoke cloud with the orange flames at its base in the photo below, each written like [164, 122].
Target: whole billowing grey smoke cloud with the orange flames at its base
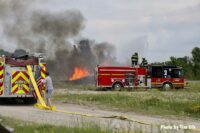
[52, 33]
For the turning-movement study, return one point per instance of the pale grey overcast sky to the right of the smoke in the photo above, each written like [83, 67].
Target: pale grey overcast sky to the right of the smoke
[157, 29]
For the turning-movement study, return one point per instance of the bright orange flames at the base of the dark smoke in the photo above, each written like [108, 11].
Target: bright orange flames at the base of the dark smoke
[79, 73]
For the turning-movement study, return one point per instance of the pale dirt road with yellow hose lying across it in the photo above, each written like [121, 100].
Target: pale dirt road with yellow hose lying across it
[29, 113]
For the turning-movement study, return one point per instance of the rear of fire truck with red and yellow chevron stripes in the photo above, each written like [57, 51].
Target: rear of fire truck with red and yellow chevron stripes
[14, 77]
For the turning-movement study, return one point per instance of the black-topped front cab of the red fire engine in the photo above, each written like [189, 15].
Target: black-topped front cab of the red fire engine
[166, 77]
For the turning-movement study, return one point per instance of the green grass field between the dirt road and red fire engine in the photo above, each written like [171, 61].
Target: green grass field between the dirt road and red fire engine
[184, 102]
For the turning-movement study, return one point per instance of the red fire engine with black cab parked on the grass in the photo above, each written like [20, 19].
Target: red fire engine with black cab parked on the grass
[156, 76]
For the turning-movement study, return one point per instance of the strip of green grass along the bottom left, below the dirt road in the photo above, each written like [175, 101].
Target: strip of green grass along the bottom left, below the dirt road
[29, 127]
